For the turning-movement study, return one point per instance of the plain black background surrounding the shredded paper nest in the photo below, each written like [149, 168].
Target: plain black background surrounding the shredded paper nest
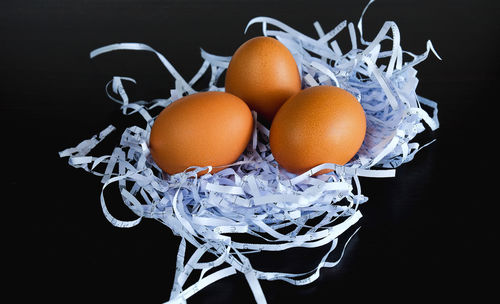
[427, 234]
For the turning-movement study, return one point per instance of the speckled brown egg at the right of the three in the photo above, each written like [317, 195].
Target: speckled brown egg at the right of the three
[322, 124]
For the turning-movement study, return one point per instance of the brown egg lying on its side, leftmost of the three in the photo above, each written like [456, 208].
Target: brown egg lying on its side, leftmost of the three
[202, 129]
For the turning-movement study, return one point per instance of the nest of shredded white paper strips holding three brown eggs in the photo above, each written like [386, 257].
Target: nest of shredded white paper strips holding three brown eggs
[254, 197]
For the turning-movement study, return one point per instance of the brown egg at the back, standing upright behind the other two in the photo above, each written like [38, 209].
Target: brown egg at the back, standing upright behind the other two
[264, 74]
